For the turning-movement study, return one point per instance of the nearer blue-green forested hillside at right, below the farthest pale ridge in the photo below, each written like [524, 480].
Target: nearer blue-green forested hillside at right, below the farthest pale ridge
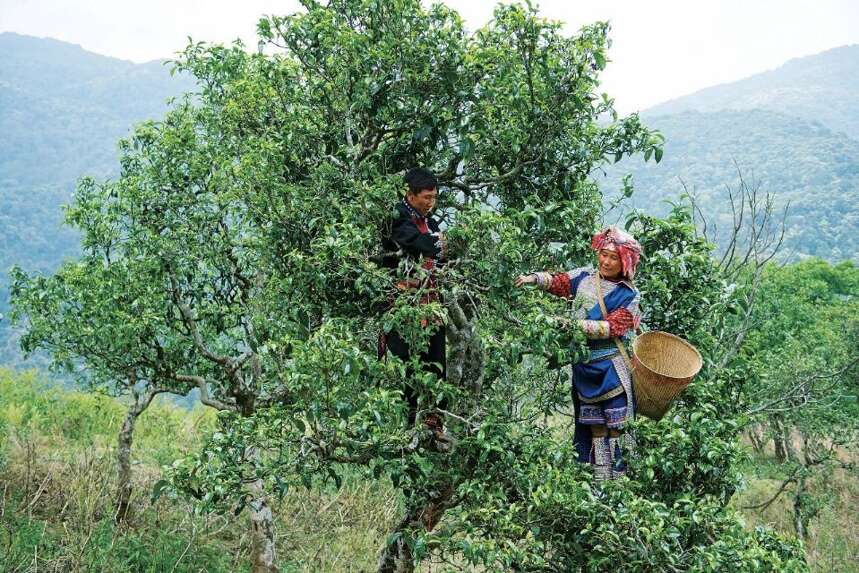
[802, 163]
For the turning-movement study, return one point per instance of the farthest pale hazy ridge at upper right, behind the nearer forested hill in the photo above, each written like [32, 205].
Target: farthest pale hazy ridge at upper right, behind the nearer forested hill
[820, 88]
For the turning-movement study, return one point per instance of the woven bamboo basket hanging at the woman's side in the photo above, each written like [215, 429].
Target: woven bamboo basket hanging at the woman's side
[662, 366]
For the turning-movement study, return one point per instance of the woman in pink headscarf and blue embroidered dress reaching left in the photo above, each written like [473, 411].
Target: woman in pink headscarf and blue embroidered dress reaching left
[602, 386]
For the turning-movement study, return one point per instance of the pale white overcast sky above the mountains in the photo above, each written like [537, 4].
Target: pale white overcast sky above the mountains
[662, 48]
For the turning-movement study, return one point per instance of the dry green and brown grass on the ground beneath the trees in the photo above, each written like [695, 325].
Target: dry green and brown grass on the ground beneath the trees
[57, 471]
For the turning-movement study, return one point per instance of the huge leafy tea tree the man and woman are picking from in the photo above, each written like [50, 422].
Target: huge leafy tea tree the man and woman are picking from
[255, 210]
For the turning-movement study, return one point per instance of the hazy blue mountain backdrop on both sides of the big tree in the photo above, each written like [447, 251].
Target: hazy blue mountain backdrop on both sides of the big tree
[794, 130]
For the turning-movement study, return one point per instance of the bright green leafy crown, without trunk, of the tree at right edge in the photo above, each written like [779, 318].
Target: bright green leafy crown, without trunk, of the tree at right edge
[803, 349]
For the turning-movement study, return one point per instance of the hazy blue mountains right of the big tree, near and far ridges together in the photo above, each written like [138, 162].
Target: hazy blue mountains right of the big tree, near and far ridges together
[793, 131]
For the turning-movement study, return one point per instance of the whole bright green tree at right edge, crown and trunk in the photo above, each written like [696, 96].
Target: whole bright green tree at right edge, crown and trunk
[804, 364]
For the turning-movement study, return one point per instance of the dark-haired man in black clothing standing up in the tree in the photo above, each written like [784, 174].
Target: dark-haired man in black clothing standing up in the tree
[415, 245]
